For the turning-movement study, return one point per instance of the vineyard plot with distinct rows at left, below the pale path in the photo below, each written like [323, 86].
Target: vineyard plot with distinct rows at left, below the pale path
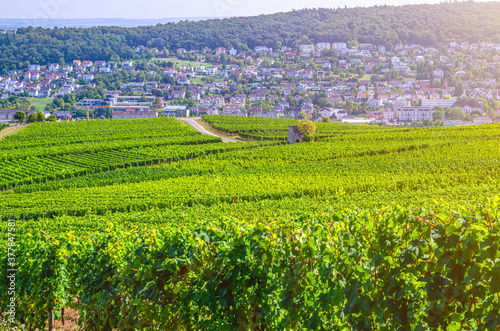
[47, 152]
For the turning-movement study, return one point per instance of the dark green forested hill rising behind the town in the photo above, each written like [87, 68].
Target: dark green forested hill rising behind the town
[423, 24]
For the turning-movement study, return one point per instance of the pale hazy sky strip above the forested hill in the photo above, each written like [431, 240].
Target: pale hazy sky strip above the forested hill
[43, 9]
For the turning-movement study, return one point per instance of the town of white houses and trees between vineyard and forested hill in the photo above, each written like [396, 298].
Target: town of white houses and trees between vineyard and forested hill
[449, 84]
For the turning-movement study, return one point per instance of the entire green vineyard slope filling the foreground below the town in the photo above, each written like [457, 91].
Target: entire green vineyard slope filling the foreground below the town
[149, 225]
